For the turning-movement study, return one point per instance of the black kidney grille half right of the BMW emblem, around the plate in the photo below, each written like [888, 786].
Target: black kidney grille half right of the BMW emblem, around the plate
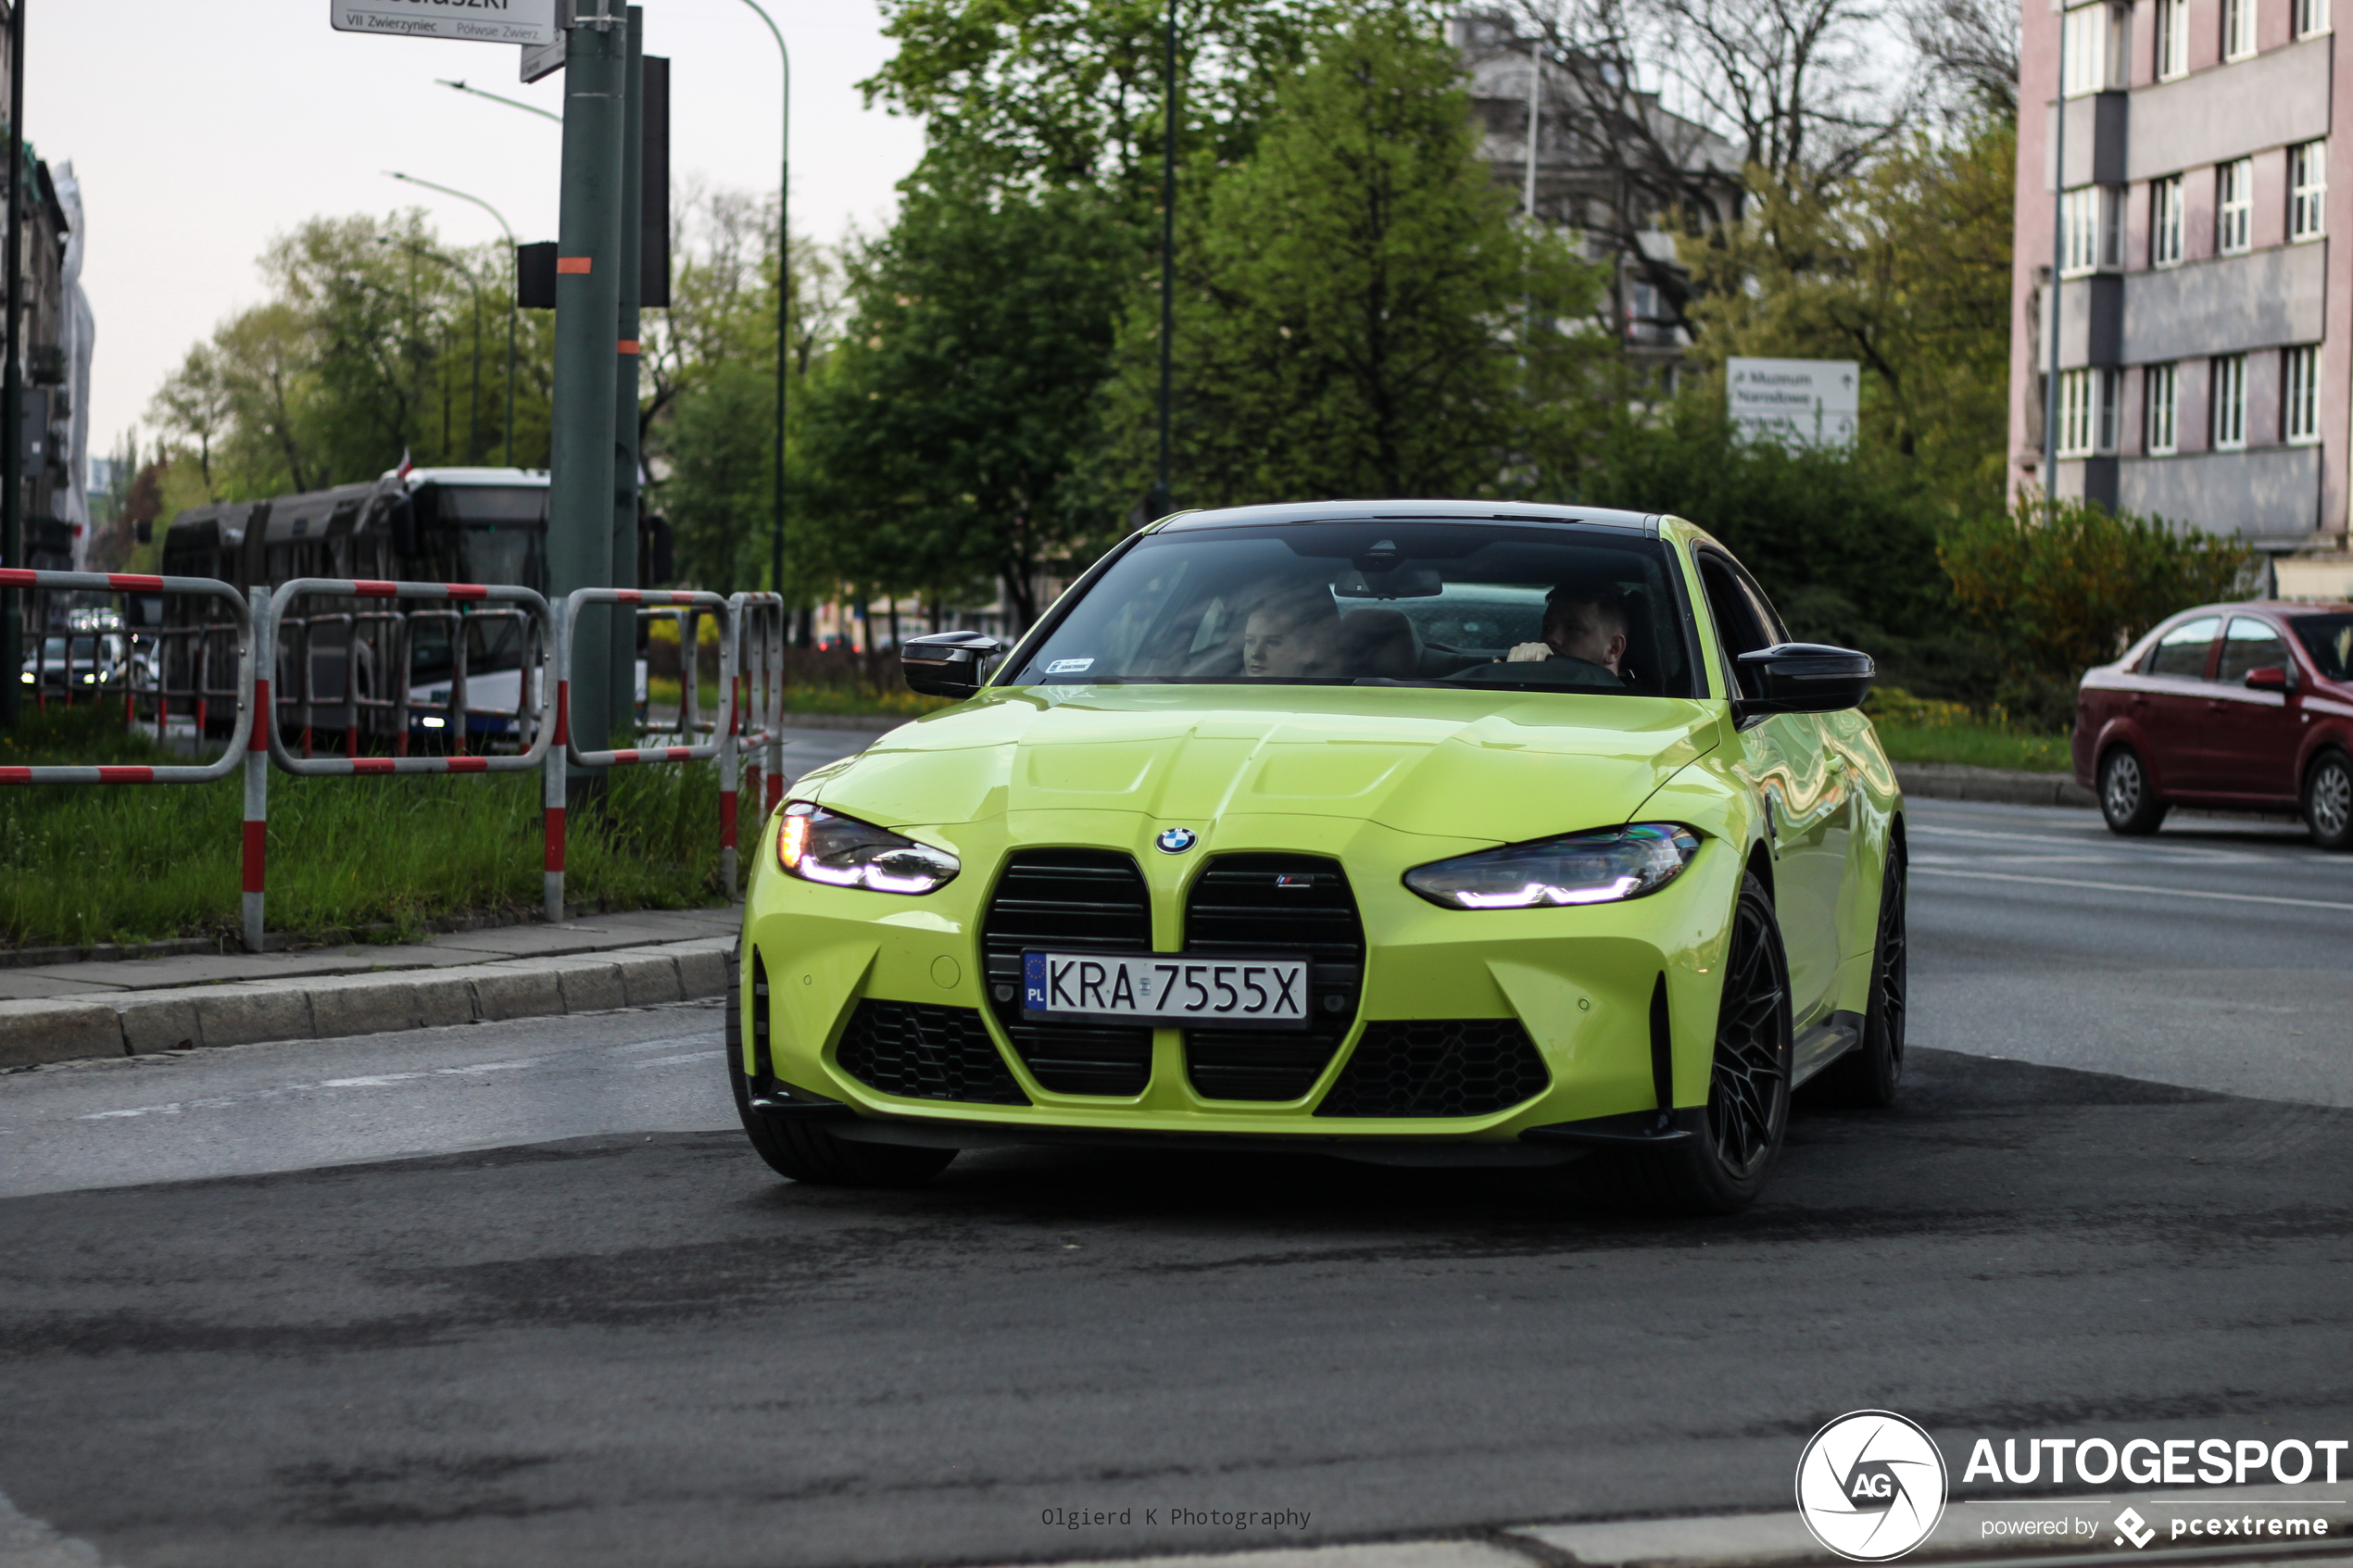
[1255, 906]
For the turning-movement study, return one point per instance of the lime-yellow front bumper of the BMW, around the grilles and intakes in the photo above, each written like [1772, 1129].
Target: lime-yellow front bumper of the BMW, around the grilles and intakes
[1580, 981]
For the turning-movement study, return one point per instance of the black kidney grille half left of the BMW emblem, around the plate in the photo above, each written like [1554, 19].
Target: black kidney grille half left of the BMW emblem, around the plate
[1072, 902]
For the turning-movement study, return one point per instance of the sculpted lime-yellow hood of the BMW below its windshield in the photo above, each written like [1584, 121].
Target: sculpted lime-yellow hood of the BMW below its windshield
[1418, 760]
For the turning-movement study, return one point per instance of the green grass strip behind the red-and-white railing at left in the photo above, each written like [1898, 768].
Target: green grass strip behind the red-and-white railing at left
[131, 864]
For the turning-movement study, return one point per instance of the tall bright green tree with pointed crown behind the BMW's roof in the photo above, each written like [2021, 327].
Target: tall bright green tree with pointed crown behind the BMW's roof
[1359, 314]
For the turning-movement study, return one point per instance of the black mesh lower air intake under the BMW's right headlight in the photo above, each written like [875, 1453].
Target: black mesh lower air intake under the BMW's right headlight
[1439, 1068]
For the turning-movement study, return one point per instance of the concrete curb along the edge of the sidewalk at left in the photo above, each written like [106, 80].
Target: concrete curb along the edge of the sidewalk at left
[335, 1007]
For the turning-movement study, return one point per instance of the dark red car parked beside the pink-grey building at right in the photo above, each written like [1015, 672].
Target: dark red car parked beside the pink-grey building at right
[2227, 706]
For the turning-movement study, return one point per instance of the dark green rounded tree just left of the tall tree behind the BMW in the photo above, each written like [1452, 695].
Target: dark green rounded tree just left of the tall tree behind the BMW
[945, 434]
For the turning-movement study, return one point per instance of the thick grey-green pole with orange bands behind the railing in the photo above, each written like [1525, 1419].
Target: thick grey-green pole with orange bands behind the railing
[587, 307]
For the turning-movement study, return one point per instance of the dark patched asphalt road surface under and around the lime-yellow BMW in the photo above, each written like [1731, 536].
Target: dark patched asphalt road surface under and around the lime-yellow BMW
[519, 1294]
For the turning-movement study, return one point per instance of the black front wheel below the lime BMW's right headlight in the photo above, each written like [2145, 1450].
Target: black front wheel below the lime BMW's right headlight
[1733, 1146]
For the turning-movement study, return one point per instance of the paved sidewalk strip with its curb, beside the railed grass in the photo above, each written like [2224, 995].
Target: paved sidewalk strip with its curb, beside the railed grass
[133, 1007]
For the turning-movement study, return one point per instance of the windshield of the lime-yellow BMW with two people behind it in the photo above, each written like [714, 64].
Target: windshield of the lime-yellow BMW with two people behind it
[1347, 603]
